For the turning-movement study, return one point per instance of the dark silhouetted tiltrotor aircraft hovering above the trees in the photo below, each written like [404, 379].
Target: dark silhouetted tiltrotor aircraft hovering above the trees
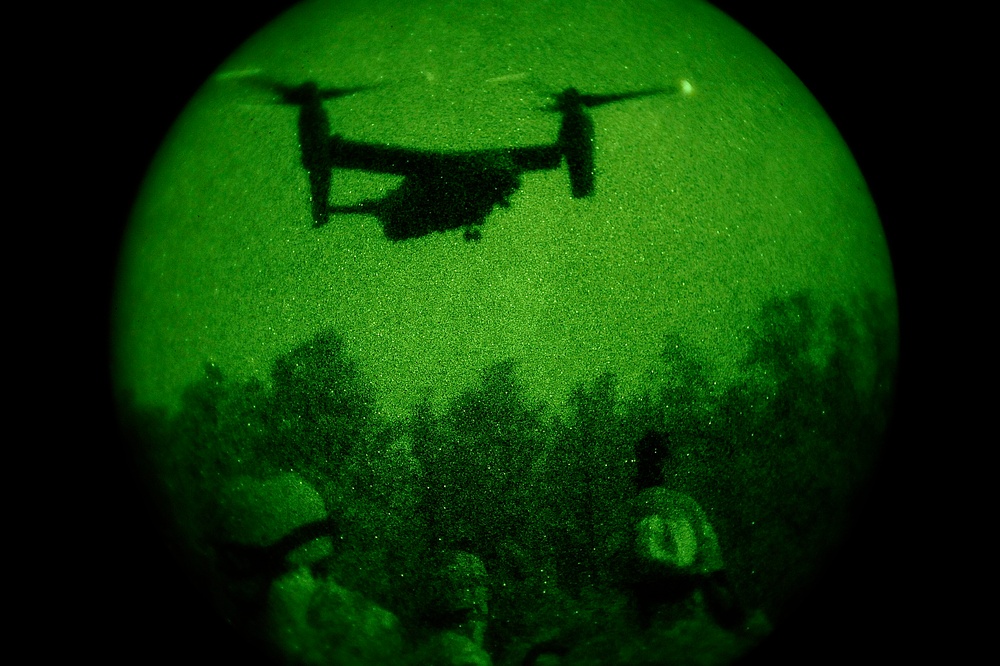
[440, 190]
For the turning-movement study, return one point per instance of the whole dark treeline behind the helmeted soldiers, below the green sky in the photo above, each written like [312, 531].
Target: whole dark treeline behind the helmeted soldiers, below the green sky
[543, 499]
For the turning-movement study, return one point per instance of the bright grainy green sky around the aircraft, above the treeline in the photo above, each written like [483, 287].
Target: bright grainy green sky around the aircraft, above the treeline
[706, 203]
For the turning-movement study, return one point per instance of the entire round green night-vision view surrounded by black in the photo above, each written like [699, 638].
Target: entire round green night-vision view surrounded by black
[505, 333]
